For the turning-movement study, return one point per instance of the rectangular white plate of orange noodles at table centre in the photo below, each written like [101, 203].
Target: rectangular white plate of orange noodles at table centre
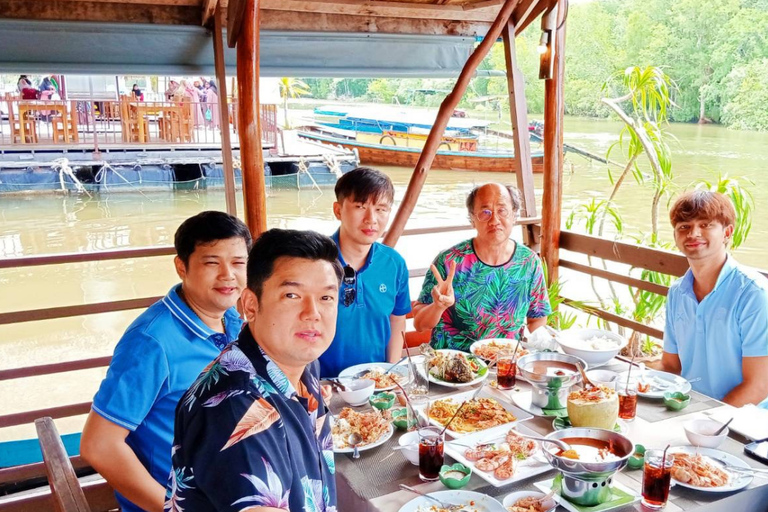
[482, 413]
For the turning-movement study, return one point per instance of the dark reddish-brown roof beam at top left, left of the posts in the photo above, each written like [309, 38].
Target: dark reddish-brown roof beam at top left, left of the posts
[62, 10]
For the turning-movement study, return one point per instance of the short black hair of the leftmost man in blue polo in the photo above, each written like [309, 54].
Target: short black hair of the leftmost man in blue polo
[206, 228]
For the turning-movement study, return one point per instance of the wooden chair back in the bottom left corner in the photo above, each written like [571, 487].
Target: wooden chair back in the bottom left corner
[67, 494]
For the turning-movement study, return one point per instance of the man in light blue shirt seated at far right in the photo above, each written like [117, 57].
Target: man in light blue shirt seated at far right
[717, 313]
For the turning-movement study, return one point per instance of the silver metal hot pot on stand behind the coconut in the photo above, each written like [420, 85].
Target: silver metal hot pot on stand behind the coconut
[549, 391]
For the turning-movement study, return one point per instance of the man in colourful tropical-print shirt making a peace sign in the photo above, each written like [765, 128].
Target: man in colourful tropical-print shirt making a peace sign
[487, 287]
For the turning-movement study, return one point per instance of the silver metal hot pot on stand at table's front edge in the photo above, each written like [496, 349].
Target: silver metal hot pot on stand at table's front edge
[588, 483]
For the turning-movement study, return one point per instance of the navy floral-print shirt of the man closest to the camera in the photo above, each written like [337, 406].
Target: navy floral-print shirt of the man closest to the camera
[244, 438]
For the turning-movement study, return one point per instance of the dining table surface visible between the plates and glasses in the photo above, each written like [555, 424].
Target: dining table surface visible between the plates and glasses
[372, 482]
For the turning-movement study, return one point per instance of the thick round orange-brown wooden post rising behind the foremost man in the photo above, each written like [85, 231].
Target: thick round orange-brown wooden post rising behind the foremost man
[249, 120]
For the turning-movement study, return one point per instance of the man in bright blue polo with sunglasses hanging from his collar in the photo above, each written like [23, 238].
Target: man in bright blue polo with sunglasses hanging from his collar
[374, 297]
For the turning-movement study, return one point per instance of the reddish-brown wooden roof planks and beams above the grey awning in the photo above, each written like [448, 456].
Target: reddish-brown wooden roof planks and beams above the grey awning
[434, 17]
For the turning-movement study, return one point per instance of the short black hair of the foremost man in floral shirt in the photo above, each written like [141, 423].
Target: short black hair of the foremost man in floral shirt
[290, 243]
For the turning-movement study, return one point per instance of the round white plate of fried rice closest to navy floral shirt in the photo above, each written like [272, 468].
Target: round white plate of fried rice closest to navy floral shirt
[371, 425]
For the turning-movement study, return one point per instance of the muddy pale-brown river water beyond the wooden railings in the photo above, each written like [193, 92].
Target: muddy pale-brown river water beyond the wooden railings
[36, 225]
